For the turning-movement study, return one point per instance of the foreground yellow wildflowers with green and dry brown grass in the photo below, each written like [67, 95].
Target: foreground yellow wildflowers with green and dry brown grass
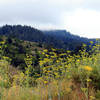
[58, 76]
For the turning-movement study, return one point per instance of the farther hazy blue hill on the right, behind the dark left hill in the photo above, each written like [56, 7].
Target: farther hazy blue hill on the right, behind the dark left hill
[66, 39]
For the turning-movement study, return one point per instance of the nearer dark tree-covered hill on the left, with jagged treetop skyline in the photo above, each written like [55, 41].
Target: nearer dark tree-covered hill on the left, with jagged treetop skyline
[22, 32]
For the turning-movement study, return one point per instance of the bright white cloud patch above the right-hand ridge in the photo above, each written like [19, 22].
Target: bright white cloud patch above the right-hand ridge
[83, 22]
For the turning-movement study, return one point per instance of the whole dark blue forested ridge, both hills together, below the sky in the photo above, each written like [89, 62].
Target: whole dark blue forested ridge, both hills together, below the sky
[60, 39]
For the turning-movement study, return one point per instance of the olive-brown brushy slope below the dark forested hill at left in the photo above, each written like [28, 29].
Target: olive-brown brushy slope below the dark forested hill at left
[17, 50]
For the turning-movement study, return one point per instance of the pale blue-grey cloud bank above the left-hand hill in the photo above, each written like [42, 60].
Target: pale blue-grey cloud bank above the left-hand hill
[32, 11]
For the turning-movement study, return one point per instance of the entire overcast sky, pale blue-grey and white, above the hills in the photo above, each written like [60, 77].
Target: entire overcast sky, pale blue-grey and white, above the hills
[80, 17]
